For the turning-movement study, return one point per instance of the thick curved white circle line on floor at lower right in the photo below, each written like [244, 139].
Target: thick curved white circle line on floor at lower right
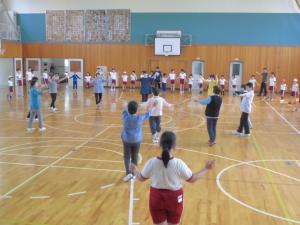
[218, 181]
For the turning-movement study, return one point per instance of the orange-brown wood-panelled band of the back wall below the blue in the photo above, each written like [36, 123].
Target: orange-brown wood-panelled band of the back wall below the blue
[284, 61]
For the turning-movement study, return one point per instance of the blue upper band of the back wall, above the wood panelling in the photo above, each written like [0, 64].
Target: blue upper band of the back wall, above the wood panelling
[205, 28]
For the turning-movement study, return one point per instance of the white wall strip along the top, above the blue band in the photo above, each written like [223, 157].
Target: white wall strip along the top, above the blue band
[30, 6]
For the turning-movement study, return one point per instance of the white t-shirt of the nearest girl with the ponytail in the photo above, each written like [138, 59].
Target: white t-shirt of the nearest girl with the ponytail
[169, 178]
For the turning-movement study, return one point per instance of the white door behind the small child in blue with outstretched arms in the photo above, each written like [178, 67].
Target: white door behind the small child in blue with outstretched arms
[73, 66]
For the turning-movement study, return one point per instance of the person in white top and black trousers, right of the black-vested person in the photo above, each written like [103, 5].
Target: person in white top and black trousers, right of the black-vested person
[246, 108]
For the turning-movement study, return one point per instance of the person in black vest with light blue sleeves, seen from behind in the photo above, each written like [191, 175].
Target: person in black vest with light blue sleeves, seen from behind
[213, 104]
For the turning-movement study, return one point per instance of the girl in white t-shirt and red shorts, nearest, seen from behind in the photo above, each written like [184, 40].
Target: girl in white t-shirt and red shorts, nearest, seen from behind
[167, 174]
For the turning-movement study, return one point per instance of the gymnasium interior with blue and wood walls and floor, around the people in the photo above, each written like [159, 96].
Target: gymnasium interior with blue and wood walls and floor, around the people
[72, 173]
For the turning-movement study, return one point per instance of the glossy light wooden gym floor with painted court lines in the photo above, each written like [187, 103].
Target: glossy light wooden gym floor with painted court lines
[44, 181]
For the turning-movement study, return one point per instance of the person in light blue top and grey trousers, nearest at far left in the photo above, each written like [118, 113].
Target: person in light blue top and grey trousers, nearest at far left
[35, 104]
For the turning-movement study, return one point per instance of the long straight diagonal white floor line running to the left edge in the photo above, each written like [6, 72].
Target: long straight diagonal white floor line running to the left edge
[52, 164]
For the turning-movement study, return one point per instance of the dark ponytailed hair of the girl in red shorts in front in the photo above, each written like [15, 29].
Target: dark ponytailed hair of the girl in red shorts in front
[167, 142]
